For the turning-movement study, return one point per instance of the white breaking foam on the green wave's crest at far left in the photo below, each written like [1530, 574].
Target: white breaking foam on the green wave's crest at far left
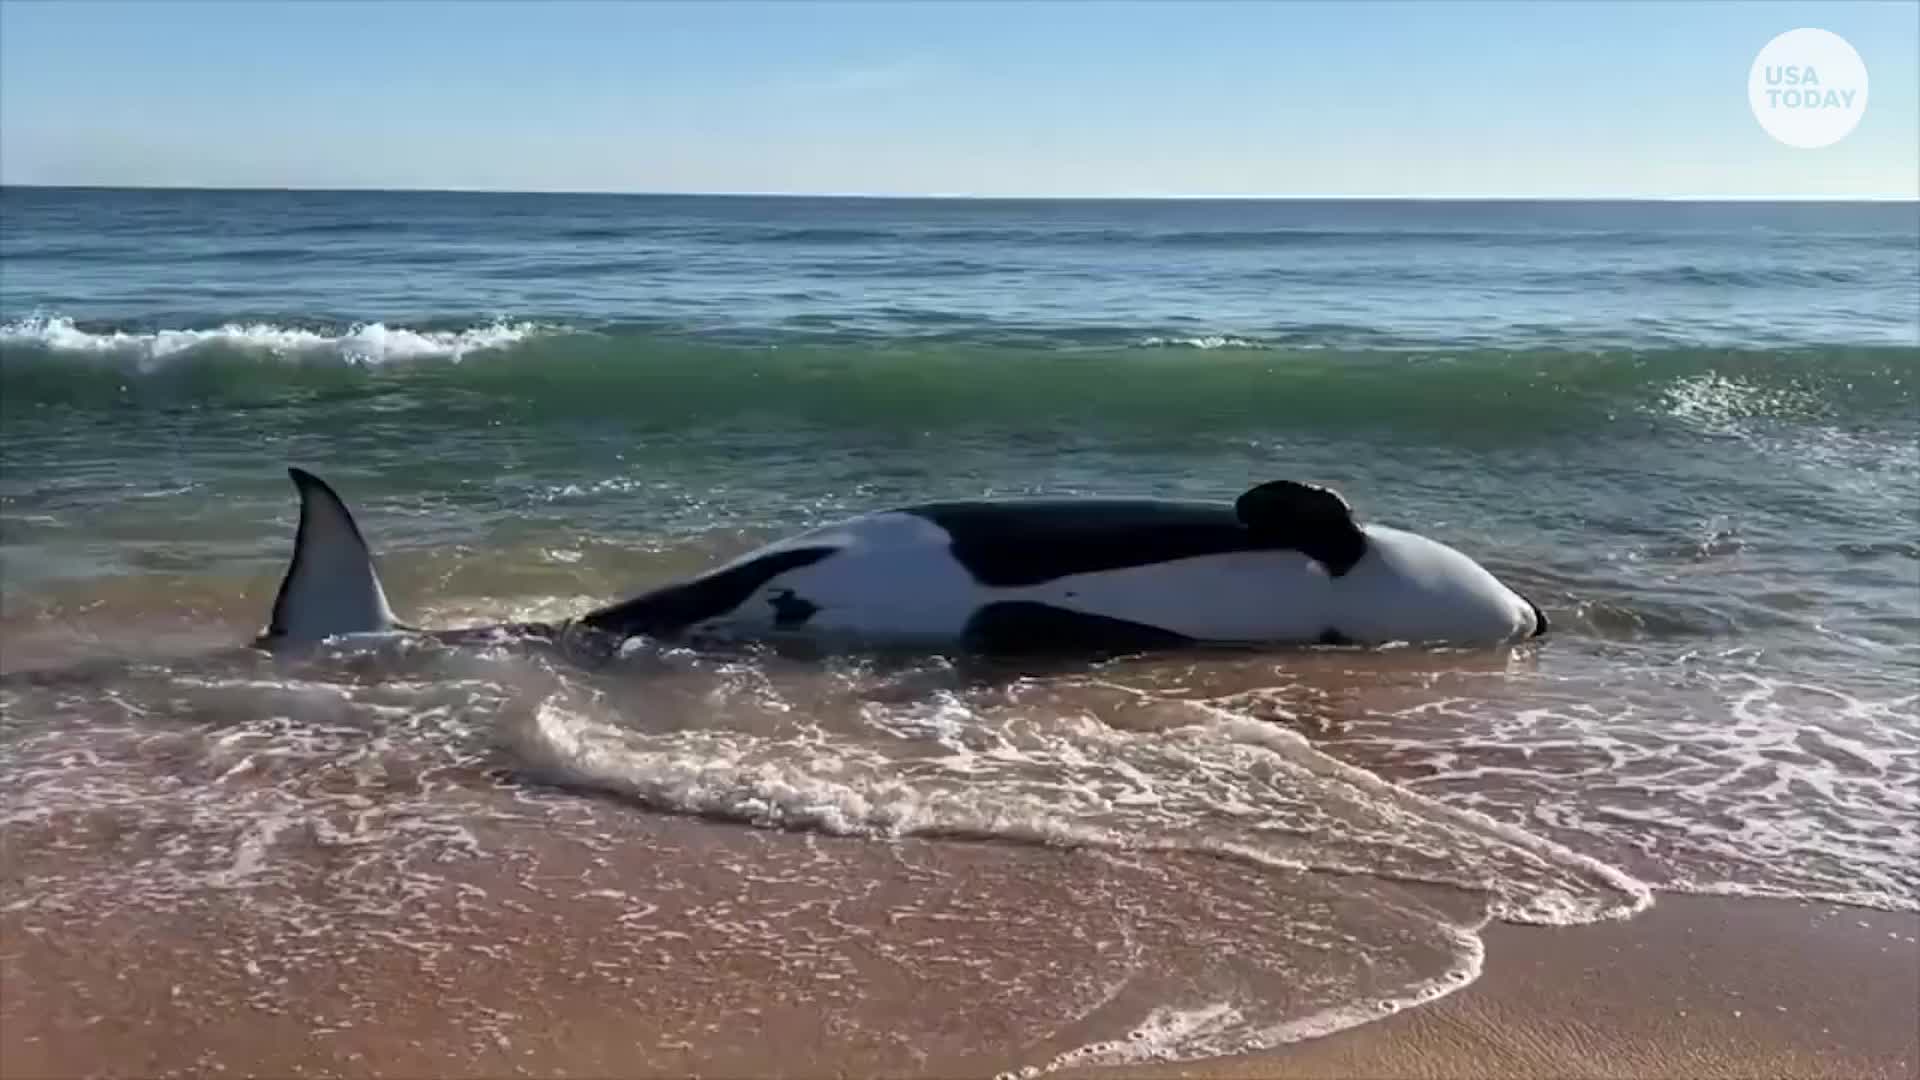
[364, 343]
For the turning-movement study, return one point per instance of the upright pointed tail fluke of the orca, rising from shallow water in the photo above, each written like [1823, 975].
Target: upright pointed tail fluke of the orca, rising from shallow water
[331, 587]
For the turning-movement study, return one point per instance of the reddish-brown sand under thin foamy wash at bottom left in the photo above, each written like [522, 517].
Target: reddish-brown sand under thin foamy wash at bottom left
[590, 941]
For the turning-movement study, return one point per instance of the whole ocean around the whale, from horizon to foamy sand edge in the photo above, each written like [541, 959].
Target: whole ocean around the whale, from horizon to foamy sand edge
[1689, 431]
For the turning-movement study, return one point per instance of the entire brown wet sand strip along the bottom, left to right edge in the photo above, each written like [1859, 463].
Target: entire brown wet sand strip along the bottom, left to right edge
[675, 948]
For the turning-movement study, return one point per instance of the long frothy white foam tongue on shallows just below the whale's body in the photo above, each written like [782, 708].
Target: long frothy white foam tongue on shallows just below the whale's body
[1220, 785]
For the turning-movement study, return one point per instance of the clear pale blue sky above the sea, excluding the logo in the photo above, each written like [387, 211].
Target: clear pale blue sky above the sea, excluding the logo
[1253, 99]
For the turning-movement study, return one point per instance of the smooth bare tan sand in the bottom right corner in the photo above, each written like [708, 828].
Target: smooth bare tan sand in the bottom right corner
[1694, 987]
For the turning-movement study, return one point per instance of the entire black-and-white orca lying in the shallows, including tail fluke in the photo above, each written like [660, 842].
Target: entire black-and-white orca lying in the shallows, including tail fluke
[1285, 564]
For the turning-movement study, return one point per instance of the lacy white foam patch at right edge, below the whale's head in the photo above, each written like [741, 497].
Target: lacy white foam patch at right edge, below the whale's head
[1754, 785]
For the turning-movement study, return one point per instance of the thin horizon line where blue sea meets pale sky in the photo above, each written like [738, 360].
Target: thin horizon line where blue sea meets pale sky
[967, 197]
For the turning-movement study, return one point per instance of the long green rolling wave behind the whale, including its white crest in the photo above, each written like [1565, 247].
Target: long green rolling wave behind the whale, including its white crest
[1161, 378]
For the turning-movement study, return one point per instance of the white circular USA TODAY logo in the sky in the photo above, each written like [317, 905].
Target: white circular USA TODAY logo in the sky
[1808, 87]
